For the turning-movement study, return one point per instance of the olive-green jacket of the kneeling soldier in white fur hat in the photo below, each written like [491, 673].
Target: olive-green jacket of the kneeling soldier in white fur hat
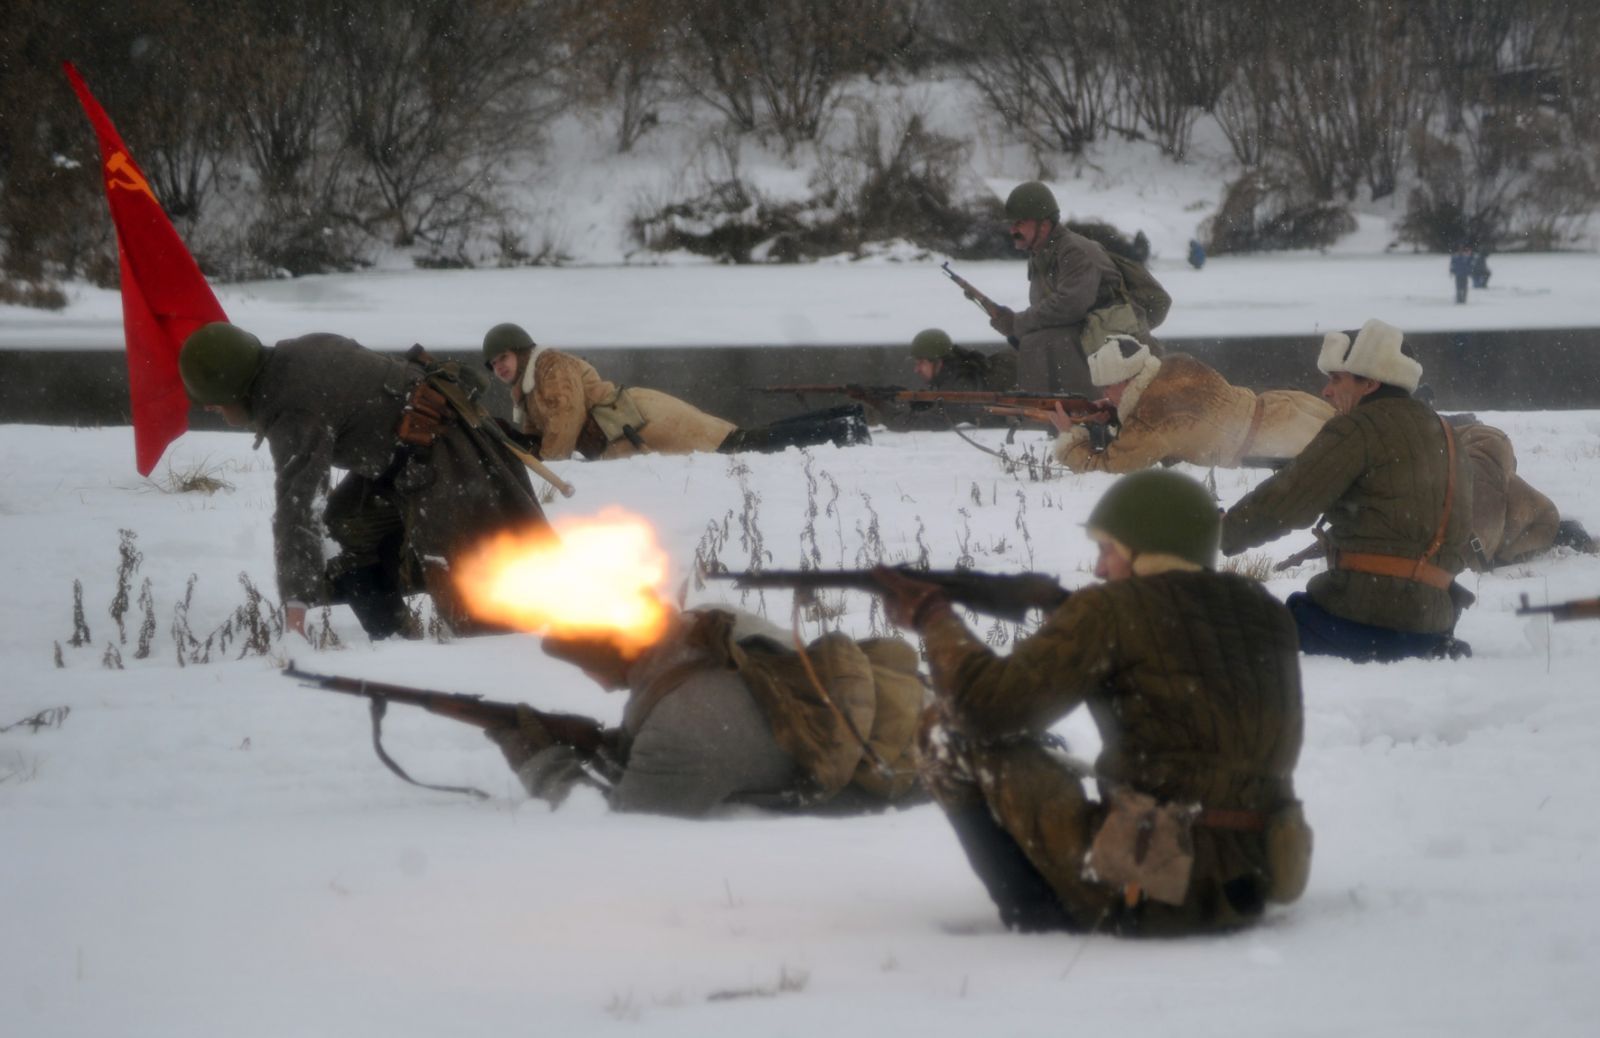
[1378, 479]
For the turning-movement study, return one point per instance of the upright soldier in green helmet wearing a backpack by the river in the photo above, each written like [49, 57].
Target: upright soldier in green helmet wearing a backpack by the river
[1078, 295]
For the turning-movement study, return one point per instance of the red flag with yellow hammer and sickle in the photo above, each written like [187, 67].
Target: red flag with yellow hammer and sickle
[164, 295]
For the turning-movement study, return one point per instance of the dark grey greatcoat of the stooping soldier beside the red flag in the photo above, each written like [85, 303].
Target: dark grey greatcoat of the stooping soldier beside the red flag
[326, 402]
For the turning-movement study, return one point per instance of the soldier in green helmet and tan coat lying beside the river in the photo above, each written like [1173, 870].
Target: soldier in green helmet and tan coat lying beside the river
[564, 405]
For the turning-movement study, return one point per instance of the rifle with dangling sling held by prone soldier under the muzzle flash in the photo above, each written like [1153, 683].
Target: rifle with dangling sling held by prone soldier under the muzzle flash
[586, 737]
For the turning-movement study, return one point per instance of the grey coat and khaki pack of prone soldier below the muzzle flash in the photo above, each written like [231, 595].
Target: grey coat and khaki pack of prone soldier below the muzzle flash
[721, 711]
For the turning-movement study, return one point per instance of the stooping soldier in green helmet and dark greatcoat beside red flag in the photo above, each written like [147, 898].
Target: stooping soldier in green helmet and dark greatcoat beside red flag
[422, 482]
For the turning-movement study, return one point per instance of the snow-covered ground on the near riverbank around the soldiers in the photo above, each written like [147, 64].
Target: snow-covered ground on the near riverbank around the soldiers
[212, 850]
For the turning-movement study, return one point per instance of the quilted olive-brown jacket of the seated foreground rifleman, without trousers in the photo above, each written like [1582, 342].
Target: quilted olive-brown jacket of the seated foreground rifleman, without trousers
[1193, 681]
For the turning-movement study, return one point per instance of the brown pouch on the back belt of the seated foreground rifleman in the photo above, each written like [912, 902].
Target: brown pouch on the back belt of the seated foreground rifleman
[1143, 847]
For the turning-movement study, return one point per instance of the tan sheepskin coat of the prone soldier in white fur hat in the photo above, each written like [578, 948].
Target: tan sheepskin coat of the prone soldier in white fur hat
[1178, 409]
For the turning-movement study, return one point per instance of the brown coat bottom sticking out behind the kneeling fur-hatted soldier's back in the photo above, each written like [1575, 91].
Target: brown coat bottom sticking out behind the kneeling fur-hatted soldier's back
[1510, 517]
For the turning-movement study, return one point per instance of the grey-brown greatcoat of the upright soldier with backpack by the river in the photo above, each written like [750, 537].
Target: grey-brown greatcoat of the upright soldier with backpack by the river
[1068, 277]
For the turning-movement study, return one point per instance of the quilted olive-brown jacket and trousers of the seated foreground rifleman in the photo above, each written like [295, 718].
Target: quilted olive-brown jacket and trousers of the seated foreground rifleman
[1193, 681]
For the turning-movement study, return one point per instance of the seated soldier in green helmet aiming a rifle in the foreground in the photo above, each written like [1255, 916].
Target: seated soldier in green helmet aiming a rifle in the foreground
[1191, 677]
